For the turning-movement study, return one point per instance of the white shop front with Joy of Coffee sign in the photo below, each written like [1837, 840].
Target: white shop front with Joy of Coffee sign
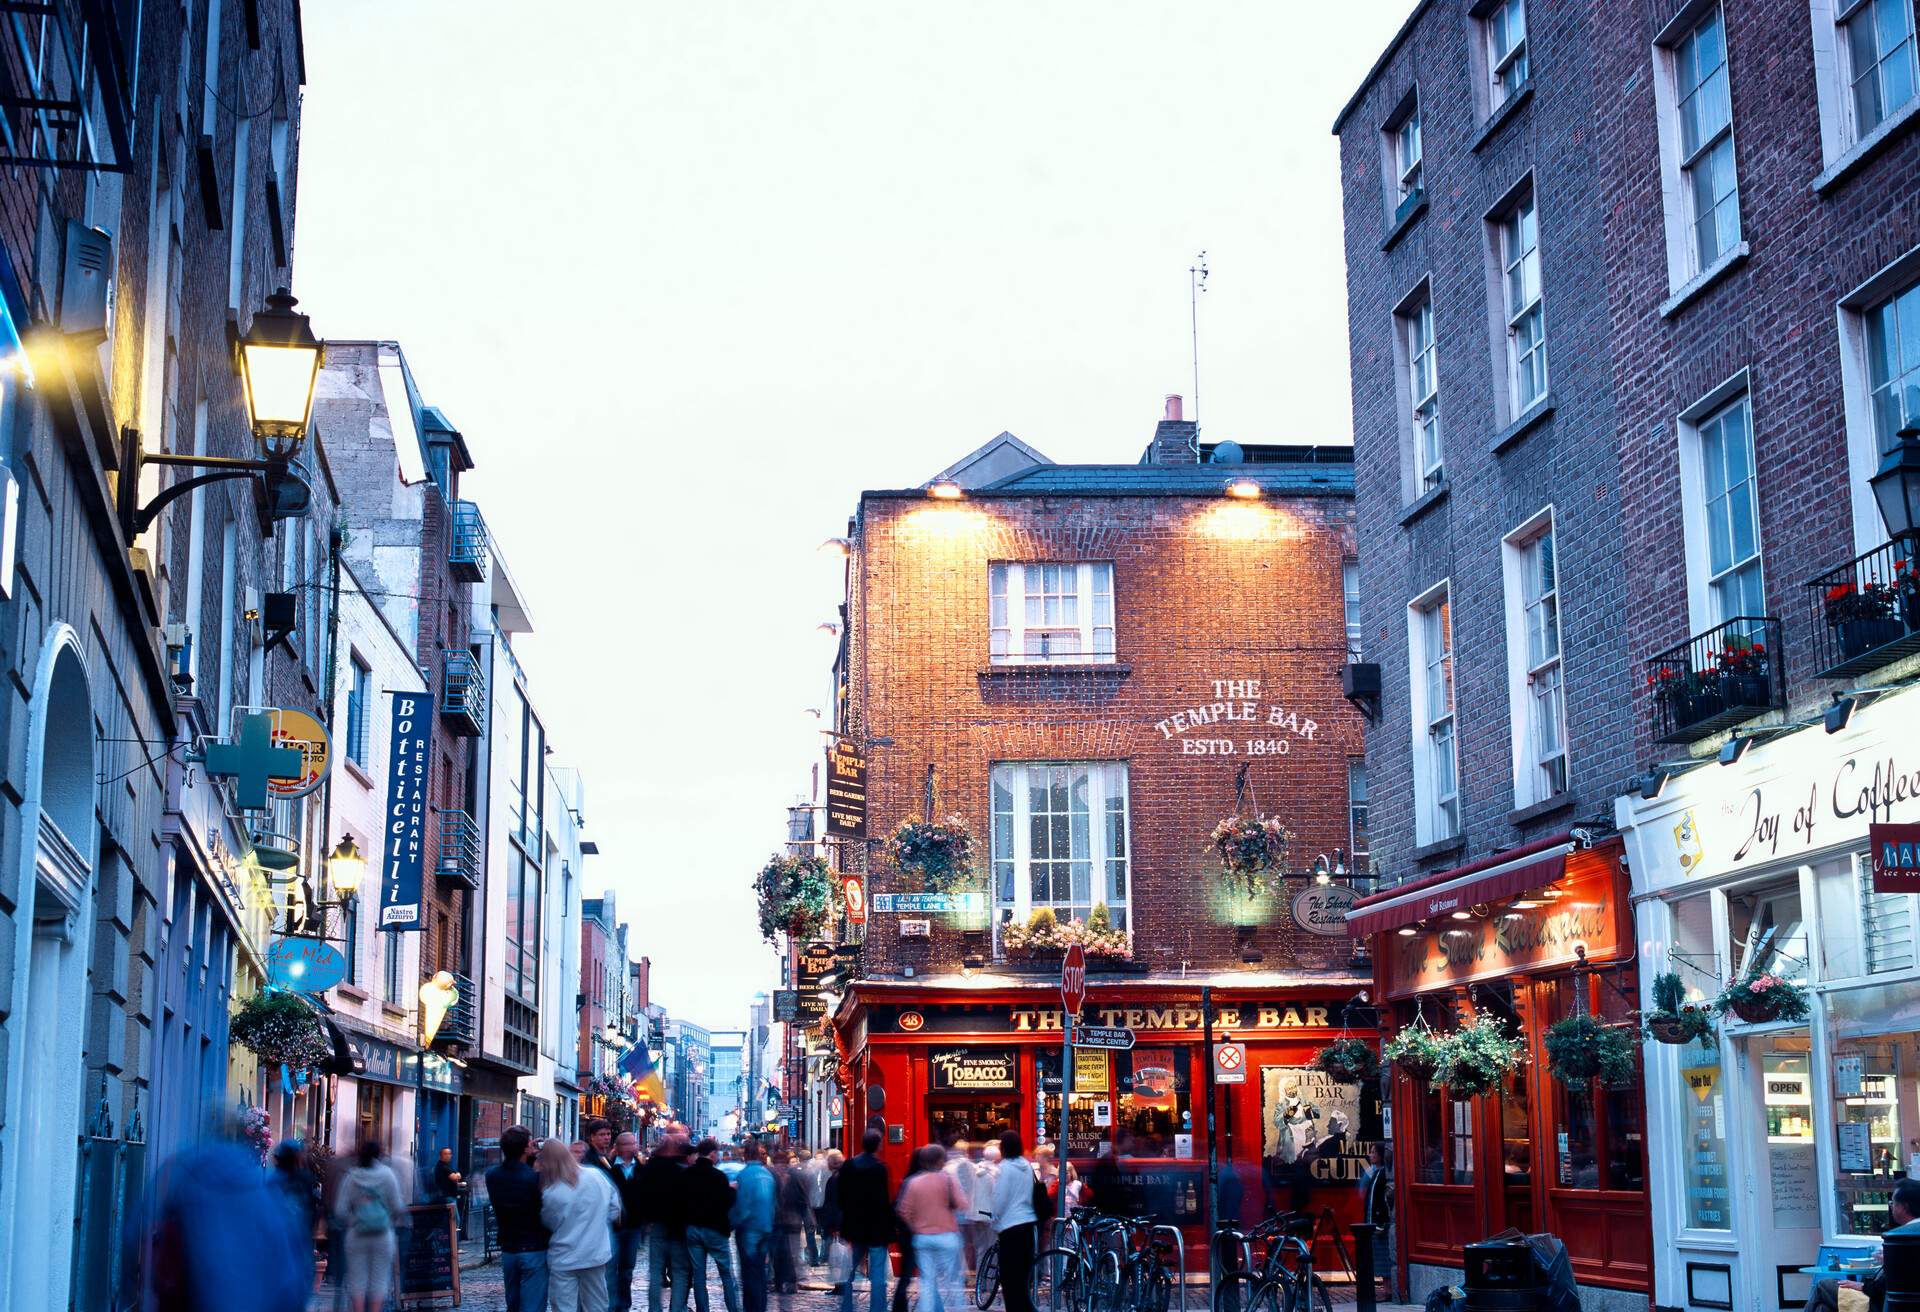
[1794, 1129]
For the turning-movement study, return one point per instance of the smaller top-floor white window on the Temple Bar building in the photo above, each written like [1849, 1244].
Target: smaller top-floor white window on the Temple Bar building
[1051, 612]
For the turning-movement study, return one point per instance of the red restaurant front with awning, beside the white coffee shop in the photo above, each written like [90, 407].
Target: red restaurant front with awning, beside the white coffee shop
[1529, 938]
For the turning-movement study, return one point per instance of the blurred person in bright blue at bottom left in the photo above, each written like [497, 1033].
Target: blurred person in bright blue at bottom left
[224, 1238]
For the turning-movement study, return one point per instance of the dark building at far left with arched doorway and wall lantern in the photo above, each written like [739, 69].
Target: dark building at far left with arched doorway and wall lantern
[143, 222]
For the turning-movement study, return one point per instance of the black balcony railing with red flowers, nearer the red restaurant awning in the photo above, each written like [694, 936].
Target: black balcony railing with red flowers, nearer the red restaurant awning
[1721, 677]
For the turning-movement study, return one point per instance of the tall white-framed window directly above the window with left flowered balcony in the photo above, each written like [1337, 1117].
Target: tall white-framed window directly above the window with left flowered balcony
[1698, 116]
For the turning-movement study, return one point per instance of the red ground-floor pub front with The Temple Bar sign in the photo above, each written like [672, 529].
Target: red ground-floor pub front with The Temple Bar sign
[978, 1059]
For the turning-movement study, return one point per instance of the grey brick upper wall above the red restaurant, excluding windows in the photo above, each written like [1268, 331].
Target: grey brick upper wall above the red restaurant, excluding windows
[1568, 462]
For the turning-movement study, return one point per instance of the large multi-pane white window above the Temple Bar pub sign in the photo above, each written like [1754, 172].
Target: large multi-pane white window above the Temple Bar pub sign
[1061, 838]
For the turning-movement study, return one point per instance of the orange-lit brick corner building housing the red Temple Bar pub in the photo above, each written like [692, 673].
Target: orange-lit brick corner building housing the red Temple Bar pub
[1092, 666]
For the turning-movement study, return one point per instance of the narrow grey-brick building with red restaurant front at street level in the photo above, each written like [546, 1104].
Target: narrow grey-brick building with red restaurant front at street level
[1493, 575]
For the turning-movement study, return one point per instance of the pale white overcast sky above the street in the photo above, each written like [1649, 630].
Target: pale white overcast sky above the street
[690, 278]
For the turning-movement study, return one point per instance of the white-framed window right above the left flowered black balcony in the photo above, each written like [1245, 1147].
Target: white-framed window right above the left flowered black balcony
[1723, 512]
